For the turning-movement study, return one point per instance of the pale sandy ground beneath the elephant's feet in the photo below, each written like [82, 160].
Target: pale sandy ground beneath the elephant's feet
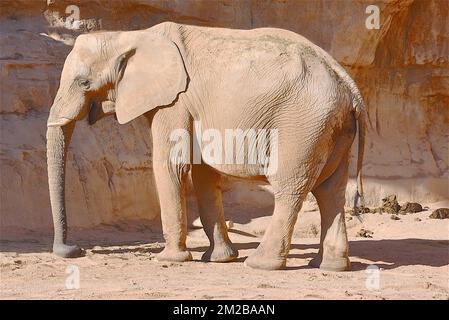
[412, 257]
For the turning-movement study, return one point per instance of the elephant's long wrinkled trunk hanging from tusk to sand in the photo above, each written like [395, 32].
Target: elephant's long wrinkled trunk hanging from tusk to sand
[58, 139]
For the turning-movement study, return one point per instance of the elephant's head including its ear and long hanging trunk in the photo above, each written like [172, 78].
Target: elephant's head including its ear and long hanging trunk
[126, 73]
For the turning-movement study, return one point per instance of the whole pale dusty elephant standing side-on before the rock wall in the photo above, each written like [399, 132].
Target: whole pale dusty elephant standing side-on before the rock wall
[178, 75]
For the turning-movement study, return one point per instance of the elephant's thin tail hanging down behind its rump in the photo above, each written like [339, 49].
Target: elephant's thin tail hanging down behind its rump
[360, 114]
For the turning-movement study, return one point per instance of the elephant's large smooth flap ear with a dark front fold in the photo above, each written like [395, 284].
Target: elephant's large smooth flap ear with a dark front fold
[151, 75]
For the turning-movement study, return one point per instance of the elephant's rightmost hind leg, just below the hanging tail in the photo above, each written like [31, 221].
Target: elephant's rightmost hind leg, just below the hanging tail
[330, 195]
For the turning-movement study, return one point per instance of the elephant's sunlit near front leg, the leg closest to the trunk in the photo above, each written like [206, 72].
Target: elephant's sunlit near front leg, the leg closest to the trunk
[171, 185]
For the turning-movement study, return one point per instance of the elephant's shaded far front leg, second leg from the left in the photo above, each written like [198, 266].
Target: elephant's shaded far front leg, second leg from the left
[206, 182]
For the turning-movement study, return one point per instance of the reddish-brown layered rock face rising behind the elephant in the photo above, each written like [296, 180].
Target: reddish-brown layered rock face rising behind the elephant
[402, 70]
